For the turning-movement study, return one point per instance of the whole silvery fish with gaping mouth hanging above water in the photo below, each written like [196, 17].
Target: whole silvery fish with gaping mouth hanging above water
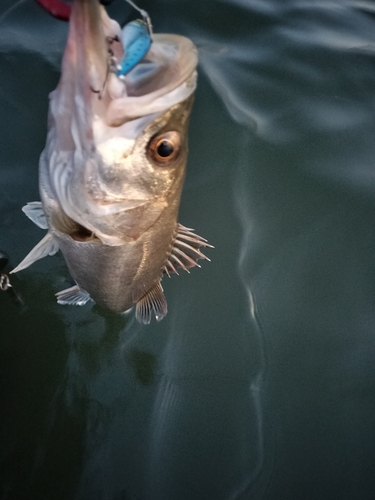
[113, 168]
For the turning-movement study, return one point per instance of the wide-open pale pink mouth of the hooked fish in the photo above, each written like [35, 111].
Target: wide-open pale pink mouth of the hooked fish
[164, 76]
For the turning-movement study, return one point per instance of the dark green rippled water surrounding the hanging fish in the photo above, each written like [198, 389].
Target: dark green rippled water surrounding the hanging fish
[260, 382]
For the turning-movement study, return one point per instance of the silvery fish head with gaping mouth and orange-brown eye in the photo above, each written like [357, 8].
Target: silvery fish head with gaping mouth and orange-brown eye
[116, 147]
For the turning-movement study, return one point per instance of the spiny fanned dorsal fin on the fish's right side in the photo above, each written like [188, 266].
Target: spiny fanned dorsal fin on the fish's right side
[186, 250]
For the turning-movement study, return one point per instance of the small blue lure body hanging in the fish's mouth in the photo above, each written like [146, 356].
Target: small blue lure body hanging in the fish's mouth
[136, 41]
